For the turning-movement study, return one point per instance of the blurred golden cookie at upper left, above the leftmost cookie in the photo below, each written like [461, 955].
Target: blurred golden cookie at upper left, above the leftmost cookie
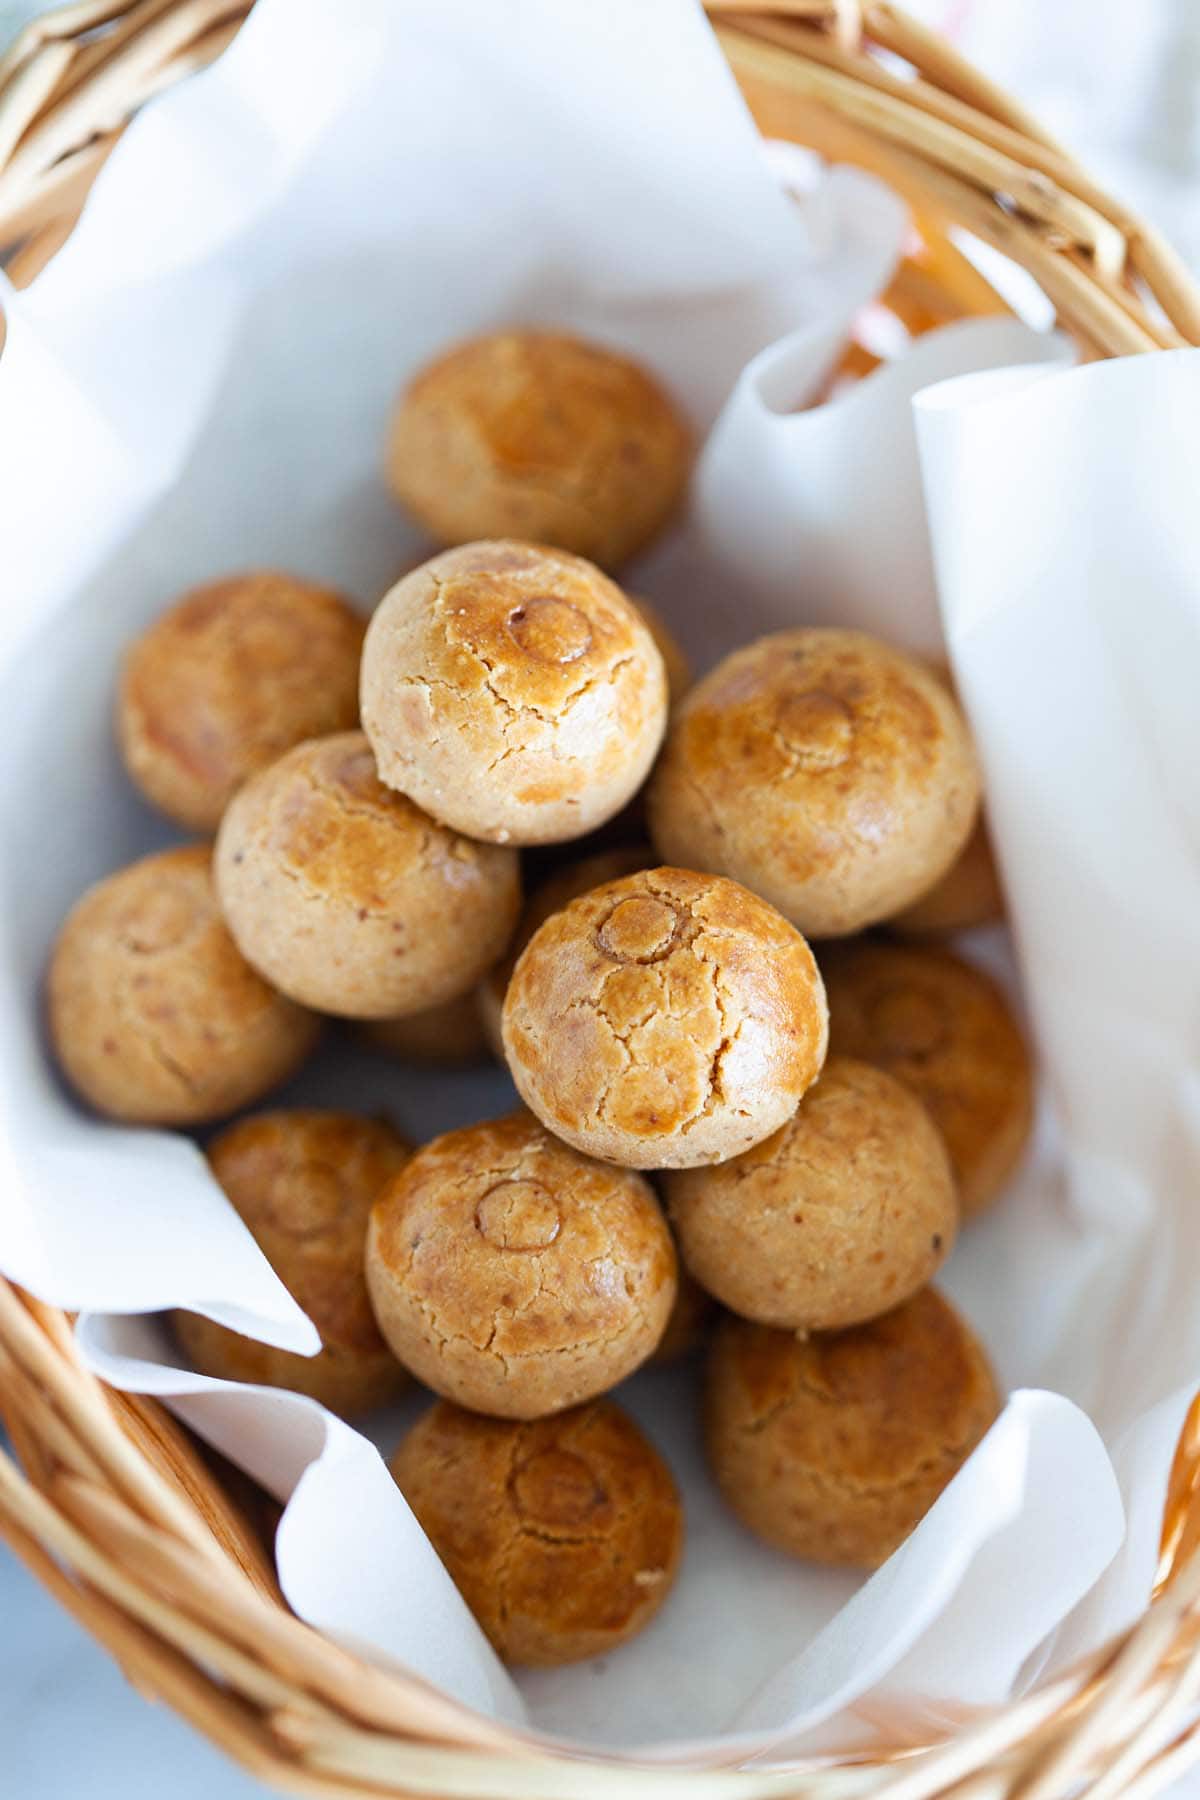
[228, 681]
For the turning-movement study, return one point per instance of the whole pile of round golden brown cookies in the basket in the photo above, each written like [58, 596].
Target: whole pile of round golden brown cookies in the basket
[728, 1142]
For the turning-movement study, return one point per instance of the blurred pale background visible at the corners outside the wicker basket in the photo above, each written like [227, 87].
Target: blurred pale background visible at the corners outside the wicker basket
[1122, 85]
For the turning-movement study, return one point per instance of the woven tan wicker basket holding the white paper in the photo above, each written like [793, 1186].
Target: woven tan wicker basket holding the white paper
[116, 1509]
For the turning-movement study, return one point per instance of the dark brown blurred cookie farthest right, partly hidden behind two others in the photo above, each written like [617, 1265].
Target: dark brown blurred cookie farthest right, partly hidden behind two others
[945, 1030]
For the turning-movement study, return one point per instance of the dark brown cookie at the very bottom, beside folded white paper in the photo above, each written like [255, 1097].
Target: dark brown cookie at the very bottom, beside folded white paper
[564, 1536]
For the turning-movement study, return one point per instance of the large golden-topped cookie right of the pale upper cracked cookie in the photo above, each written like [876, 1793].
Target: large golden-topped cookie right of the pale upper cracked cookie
[825, 769]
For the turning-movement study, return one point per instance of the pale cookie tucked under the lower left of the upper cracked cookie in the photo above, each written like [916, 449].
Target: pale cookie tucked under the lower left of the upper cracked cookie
[348, 897]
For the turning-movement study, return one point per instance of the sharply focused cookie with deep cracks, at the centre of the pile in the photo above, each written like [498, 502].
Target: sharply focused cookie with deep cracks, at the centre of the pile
[667, 1020]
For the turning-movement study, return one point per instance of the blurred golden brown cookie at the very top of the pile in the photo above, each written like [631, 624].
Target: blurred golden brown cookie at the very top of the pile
[537, 435]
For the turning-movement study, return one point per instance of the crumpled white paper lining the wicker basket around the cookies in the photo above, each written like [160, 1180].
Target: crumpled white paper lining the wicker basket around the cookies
[201, 382]
